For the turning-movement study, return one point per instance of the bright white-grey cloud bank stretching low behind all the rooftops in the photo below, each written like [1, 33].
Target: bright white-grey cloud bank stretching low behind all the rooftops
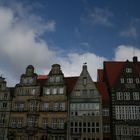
[21, 45]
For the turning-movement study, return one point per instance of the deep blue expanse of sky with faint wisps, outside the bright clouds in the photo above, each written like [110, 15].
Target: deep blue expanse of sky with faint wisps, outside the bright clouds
[91, 25]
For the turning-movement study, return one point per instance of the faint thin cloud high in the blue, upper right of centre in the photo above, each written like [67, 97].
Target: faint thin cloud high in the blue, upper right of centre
[98, 16]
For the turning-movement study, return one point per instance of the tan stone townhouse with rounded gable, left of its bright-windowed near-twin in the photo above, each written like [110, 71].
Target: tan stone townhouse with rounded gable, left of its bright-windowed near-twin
[24, 118]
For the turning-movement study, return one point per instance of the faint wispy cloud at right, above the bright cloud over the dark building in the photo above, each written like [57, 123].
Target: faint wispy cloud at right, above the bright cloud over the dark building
[130, 32]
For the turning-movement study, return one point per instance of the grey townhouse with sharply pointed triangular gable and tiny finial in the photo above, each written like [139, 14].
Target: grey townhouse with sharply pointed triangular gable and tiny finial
[85, 110]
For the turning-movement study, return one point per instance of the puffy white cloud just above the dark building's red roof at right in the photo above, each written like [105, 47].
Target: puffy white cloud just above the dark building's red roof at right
[124, 52]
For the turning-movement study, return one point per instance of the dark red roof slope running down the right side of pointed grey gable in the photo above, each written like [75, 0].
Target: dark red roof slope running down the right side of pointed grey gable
[102, 88]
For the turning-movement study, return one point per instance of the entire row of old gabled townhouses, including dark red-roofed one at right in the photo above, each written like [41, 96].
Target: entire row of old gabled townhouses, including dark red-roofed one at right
[54, 107]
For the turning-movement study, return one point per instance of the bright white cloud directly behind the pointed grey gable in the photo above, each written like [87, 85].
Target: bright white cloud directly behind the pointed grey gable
[72, 65]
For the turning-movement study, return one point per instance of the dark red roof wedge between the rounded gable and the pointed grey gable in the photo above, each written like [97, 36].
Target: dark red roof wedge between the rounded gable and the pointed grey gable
[70, 83]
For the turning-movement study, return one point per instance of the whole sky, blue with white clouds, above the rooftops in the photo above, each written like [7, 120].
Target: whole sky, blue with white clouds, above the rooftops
[67, 32]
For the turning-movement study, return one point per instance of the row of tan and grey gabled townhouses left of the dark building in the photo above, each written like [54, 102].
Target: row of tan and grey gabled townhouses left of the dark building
[51, 107]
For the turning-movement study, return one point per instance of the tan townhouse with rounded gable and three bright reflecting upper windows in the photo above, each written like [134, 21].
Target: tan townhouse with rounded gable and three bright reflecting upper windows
[53, 106]
